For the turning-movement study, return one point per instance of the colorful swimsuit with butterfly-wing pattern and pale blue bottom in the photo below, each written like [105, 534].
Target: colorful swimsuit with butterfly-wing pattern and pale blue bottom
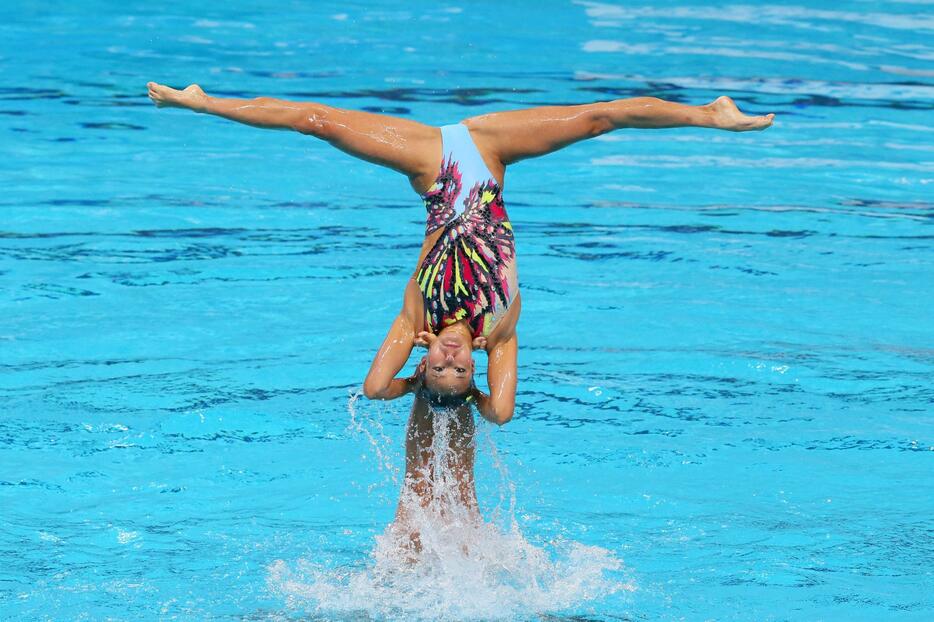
[470, 271]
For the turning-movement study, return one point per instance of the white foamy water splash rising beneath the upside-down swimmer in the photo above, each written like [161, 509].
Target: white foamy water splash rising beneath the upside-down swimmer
[463, 567]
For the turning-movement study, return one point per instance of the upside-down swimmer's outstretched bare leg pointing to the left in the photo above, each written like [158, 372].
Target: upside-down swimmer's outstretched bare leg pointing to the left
[403, 145]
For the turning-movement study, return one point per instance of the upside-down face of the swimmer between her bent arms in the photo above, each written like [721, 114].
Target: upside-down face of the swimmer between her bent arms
[449, 364]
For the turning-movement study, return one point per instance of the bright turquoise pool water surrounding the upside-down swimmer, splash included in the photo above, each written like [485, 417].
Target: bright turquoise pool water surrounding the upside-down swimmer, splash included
[725, 385]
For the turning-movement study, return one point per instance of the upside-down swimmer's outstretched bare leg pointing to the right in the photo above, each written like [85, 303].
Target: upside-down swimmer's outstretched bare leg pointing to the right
[520, 134]
